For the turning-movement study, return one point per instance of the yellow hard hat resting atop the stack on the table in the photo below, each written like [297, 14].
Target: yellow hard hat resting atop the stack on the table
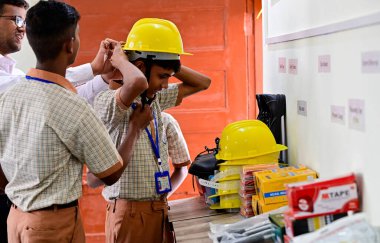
[247, 139]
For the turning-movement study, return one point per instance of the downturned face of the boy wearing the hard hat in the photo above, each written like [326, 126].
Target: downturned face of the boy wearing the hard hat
[159, 79]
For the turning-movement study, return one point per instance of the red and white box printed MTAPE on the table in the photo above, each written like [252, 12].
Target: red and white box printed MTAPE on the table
[322, 197]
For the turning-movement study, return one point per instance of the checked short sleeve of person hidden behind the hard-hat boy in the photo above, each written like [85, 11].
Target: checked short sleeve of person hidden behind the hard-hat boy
[177, 147]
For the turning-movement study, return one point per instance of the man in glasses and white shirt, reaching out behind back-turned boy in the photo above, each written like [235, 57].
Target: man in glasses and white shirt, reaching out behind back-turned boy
[12, 33]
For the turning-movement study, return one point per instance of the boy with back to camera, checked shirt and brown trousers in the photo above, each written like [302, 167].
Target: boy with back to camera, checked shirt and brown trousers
[48, 133]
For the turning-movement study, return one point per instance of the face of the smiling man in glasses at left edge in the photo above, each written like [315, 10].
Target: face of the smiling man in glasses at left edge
[10, 35]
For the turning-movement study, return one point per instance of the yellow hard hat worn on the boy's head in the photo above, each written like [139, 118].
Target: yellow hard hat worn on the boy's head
[154, 36]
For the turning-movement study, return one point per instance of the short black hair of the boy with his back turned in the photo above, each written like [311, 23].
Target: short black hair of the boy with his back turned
[49, 25]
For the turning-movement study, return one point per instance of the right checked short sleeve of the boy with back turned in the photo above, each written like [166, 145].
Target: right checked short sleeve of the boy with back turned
[94, 146]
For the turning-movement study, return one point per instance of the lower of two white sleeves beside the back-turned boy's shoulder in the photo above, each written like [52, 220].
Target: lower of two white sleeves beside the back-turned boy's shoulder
[92, 88]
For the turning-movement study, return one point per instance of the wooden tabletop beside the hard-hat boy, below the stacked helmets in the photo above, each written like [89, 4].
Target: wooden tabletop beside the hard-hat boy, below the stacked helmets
[190, 219]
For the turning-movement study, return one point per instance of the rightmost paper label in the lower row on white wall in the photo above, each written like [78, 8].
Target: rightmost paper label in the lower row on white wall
[356, 114]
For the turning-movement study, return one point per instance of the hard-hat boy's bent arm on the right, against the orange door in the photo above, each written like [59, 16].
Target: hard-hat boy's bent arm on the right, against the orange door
[192, 82]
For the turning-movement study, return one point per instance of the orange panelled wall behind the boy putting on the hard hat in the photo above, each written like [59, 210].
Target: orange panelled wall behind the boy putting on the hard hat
[224, 37]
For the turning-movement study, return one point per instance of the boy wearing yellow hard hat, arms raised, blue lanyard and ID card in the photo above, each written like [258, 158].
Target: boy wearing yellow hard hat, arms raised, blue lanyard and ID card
[137, 204]
